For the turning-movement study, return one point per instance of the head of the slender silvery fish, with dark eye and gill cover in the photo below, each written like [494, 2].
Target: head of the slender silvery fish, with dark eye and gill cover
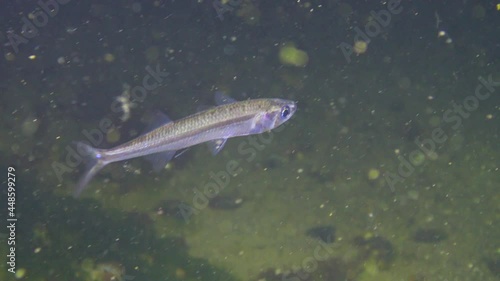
[276, 112]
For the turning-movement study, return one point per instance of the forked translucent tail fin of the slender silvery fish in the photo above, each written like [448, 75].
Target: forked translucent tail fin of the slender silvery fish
[94, 162]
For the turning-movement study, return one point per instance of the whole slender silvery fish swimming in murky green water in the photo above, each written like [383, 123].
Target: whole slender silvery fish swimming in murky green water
[214, 125]
